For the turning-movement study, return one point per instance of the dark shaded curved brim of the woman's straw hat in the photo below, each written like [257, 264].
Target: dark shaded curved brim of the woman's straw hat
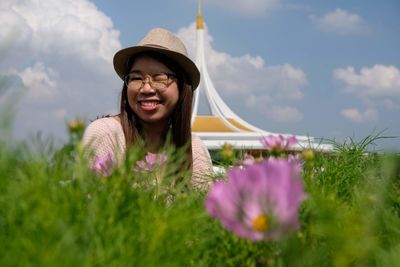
[187, 65]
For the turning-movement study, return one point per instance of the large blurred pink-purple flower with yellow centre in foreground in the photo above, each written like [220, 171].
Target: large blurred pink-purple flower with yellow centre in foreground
[260, 201]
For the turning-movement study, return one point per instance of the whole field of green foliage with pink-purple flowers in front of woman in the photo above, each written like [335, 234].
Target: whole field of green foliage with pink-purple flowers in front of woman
[277, 209]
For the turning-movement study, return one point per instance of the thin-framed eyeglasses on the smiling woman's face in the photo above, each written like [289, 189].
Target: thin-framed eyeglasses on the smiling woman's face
[158, 81]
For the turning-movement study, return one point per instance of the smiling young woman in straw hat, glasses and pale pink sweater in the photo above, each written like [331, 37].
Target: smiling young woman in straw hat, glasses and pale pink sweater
[156, 101]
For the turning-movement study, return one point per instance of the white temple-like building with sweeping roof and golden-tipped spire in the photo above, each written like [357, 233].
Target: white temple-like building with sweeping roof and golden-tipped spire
[223, 125]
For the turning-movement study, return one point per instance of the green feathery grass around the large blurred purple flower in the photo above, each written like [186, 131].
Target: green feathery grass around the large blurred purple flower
[55, 212]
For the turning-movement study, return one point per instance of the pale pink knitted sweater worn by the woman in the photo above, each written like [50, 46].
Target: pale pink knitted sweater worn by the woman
[106, 135]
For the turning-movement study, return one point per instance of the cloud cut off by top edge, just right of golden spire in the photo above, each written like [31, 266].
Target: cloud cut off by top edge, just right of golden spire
[246, 8]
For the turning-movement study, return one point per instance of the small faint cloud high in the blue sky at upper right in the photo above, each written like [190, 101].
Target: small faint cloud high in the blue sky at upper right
[340, 21]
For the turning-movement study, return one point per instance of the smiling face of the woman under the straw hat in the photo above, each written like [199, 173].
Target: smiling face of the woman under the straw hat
[152, 105]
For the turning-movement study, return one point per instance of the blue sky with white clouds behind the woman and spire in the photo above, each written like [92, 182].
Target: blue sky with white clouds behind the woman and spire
[324, 68]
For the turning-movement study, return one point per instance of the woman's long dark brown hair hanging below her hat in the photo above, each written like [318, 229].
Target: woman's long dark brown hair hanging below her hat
[180, 117]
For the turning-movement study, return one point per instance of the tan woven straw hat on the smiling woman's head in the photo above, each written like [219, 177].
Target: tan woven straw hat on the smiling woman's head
[164, 42]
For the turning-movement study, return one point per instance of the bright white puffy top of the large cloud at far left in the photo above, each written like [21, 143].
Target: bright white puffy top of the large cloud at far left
[65, 28]
